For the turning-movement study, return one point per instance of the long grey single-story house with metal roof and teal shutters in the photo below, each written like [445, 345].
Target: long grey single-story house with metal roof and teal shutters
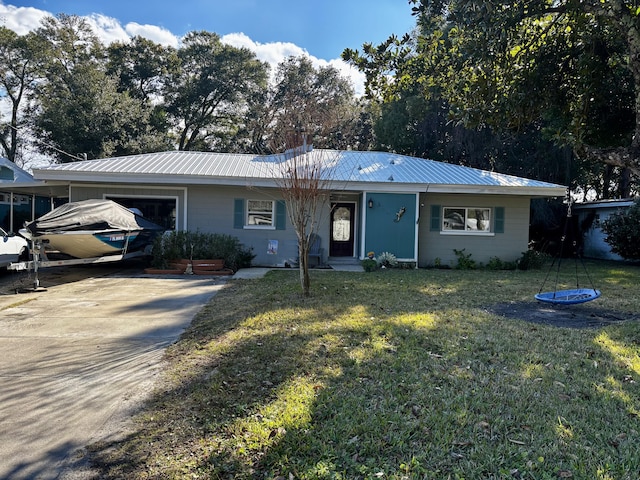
[419, 210]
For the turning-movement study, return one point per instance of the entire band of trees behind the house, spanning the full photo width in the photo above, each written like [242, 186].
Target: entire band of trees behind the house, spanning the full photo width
[543, 90]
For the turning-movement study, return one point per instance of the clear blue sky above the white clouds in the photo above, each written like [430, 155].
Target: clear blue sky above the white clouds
[322, 28]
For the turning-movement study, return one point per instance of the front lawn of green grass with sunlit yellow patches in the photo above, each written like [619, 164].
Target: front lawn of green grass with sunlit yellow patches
[395, 374]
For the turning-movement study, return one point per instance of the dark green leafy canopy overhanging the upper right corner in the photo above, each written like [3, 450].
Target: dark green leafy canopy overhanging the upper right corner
[569, 71]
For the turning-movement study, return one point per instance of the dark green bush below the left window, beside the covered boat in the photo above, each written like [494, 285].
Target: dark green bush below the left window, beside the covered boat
[200, 246]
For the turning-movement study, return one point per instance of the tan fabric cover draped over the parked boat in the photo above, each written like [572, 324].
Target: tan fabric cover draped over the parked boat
[90, 215]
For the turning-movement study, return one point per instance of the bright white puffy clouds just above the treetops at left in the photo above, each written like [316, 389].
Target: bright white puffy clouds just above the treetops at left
[108, 29]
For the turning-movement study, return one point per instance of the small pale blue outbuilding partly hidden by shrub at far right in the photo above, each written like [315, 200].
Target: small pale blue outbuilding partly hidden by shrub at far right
[590, 218]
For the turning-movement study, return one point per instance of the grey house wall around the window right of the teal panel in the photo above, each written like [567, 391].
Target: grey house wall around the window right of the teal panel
[507, 246]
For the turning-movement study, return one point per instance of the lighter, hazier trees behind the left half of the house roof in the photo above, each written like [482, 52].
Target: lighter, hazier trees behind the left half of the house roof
[71, 97]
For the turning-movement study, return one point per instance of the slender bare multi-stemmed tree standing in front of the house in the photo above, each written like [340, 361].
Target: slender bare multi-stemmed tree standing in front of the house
[304, 177]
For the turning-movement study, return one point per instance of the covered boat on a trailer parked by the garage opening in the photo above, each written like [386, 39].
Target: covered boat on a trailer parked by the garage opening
[92, 228]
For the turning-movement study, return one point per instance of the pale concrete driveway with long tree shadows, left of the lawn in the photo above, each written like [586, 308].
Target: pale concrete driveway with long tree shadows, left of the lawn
[77, 359]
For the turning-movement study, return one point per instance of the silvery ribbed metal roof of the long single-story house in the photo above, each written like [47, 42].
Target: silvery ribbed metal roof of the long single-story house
[361, 170]
